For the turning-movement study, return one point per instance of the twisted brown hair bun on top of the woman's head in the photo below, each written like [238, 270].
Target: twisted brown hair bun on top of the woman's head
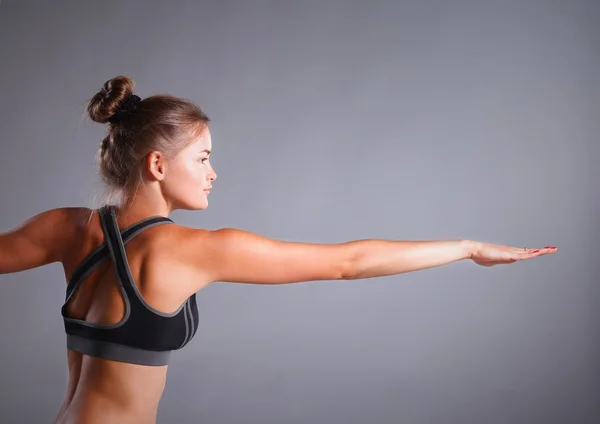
[116, 95]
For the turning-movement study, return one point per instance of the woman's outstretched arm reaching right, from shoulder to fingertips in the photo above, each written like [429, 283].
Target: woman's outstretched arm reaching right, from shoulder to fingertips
[231, 255]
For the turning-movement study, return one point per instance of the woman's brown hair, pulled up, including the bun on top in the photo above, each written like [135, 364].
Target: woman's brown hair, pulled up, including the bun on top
[162, 122]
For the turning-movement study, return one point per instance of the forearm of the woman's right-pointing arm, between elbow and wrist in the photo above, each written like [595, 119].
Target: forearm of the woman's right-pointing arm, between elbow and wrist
[376, 258]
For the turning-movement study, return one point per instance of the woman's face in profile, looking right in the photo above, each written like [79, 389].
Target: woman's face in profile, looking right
[190, 175]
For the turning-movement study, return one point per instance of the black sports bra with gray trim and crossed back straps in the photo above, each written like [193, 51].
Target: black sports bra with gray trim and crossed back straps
[144, 335]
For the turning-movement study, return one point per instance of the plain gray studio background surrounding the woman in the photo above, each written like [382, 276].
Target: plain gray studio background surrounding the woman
[335, 121]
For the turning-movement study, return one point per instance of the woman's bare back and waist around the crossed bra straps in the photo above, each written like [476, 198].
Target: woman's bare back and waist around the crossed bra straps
[106, 391]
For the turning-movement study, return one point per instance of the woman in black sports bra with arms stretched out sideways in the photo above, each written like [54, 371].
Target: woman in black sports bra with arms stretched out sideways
[132, 278]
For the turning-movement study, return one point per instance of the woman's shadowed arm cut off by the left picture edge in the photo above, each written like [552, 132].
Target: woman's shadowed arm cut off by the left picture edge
[38, 241]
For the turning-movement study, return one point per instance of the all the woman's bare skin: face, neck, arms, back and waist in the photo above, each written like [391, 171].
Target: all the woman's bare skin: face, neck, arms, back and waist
[171, 262]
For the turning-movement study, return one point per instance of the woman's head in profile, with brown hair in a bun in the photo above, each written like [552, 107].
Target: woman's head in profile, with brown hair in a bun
[158, 145]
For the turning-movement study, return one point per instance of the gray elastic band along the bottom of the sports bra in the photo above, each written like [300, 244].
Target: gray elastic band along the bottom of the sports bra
[117, 352]
